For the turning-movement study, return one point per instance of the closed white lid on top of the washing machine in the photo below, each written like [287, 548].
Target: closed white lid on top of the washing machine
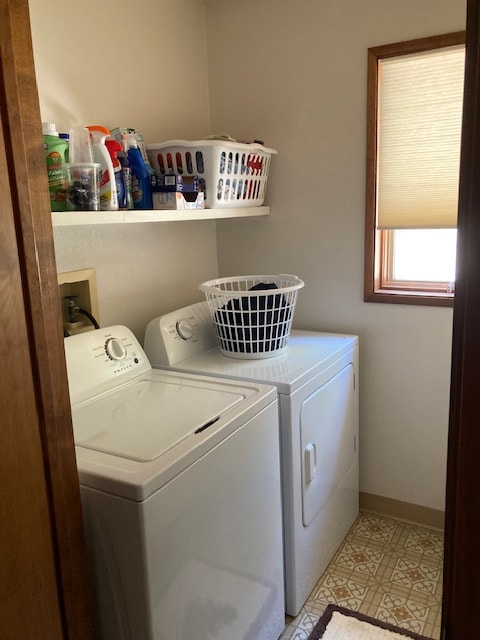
[144, 420]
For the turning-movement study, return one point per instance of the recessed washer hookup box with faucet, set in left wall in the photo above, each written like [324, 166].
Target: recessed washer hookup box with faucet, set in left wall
[82, 285]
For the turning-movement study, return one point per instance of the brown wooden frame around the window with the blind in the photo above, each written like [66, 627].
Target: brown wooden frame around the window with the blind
[379, 284]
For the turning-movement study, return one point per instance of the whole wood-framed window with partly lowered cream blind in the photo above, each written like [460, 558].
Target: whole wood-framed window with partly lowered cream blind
[414, 111]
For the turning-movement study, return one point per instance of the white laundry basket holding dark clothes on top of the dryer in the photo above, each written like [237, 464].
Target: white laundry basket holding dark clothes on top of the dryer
[252, 315]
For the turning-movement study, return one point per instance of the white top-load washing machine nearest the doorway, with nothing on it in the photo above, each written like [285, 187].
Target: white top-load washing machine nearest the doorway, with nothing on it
[180, 486]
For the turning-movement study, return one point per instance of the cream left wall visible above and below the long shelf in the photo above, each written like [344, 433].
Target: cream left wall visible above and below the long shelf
[142, 65]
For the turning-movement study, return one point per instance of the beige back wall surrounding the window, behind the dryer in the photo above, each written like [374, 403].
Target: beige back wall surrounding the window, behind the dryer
[293, 73]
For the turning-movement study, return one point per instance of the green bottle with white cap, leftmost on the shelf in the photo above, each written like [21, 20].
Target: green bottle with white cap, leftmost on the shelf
[56, 155]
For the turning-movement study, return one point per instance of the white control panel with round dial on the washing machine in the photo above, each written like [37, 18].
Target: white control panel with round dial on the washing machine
[101, 359]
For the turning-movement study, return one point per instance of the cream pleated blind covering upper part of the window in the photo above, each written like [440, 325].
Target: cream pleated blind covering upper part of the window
[418, 139]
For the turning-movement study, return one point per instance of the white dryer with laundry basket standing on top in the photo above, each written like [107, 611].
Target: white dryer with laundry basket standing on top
[317, 383]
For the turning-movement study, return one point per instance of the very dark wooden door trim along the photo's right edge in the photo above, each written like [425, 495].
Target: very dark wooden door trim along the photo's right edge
[461, 593]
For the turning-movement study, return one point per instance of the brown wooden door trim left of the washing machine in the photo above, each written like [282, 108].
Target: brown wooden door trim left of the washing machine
[30, 210]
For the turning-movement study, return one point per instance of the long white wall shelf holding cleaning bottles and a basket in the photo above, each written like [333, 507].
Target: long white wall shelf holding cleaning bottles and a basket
[80, 218]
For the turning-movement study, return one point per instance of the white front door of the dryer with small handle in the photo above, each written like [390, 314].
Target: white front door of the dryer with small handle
[327, 427]
